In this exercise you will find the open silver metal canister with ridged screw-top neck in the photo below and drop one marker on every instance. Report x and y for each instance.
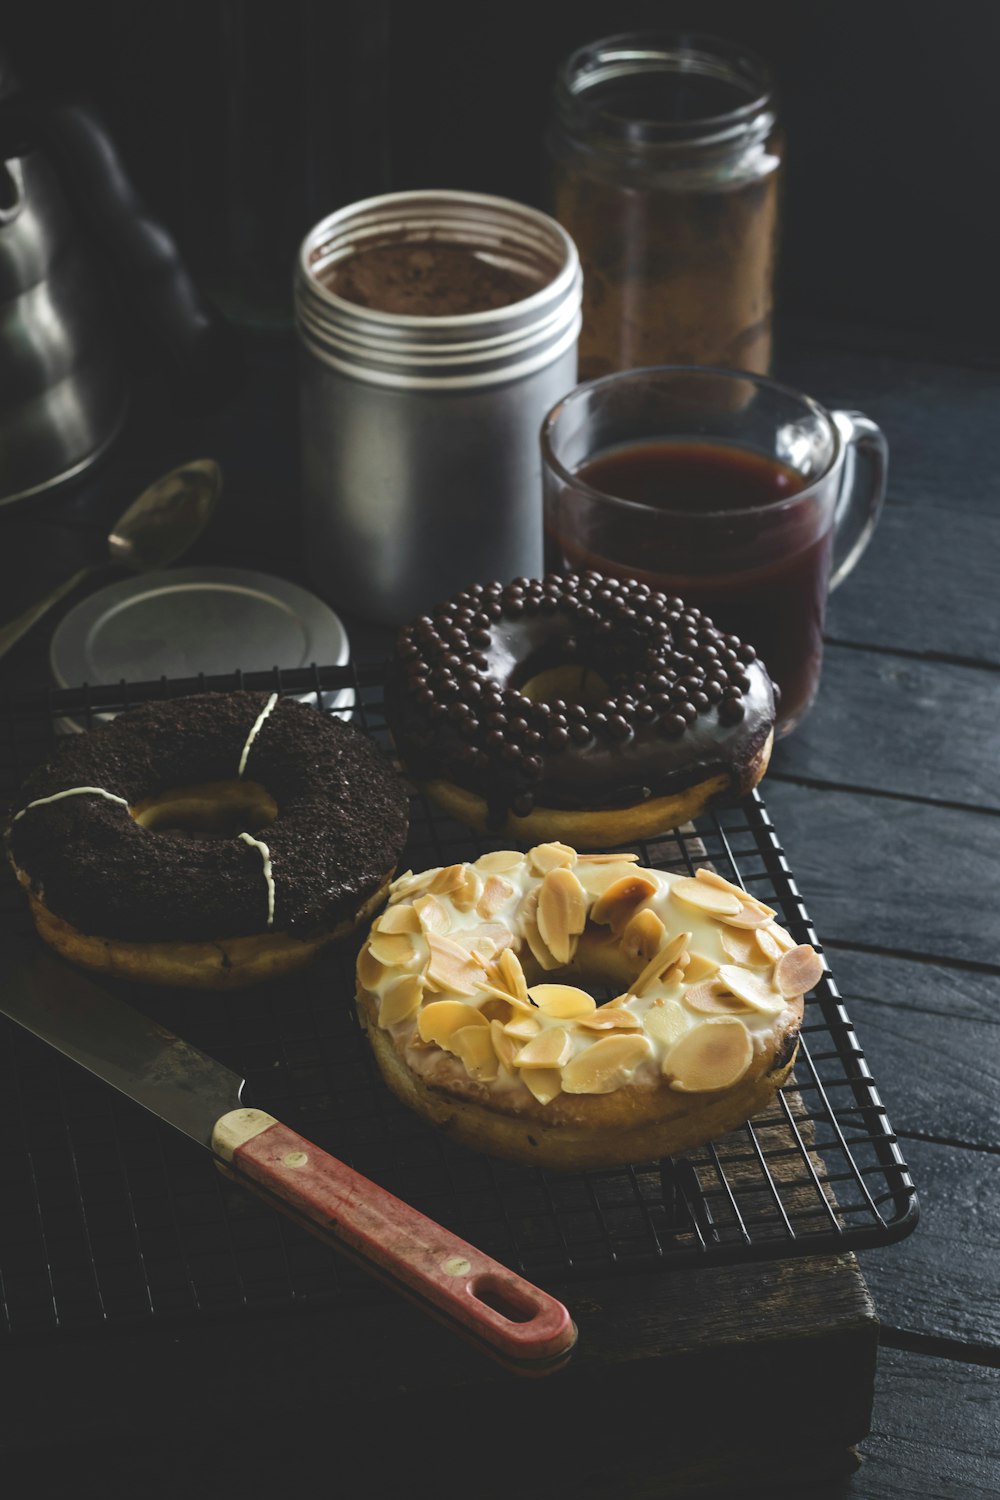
(421, 458)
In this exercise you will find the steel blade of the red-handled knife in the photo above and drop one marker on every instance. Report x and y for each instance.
(119, 1045)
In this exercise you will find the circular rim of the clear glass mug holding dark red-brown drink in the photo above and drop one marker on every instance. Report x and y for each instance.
(696, 371)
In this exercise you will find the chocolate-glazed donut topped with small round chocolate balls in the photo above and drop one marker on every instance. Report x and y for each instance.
(582, 707)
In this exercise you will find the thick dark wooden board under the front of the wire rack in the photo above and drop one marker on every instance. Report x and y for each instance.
(660, 1357)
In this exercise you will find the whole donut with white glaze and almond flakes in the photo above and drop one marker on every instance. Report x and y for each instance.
(475, 991)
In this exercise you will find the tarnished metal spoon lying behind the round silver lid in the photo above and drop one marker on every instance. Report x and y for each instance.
(157, 530)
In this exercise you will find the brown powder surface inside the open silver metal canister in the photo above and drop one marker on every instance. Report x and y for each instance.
(428, 280)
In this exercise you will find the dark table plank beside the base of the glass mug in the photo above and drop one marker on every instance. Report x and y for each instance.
(929, 730)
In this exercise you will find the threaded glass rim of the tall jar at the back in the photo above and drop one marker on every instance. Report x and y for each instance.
(630, 55)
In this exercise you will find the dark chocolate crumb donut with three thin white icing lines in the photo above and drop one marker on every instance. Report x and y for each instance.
(211, 841)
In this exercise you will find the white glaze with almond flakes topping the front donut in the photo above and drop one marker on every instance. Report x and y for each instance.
(708, 979)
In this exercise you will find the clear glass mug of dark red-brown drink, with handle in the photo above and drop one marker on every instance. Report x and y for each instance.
(743, 497)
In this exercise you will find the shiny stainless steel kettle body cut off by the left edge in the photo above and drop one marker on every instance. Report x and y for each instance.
(64, 394)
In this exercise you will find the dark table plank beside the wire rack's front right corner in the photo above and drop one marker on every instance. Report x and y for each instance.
(944, 1282)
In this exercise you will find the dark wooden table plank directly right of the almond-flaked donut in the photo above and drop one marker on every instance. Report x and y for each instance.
(932, 1037)
